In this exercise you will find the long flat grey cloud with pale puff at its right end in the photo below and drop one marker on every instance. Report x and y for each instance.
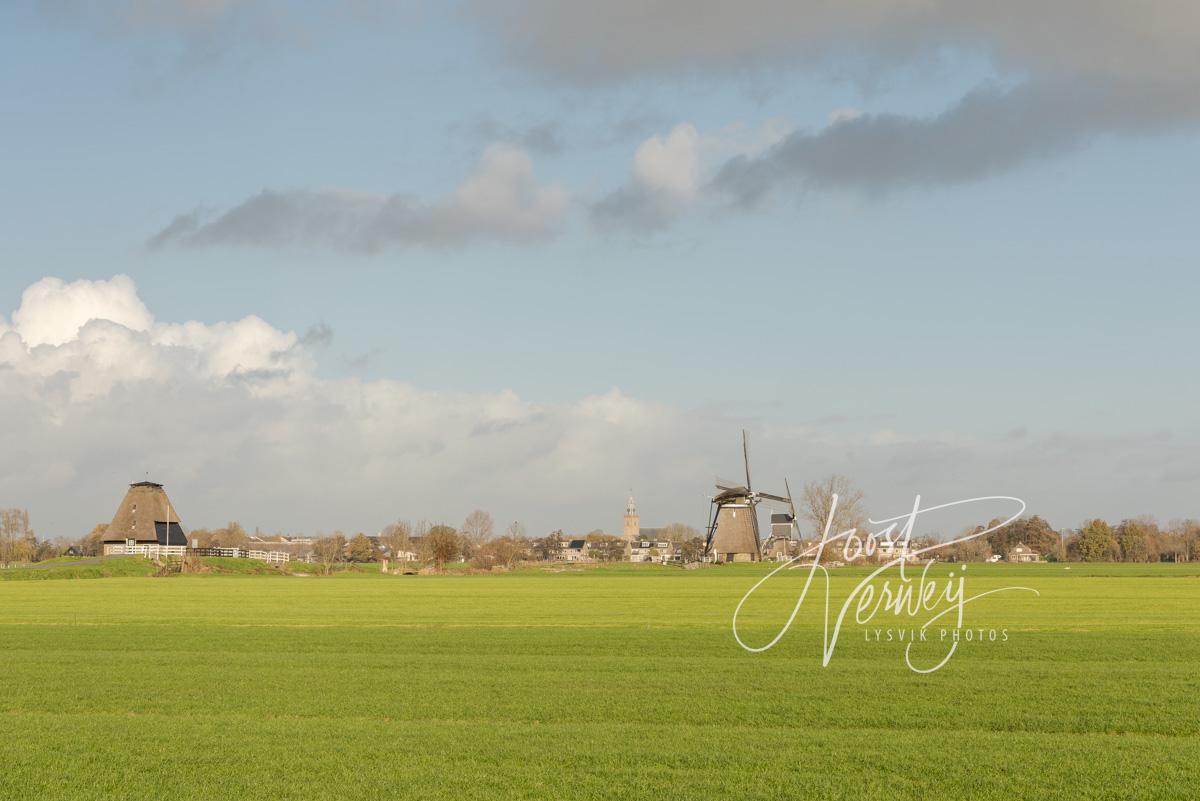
(502, 201)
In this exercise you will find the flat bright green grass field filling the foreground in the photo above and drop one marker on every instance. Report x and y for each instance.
(622, 683)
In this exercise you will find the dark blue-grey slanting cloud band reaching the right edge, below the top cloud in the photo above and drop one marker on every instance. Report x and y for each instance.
(988, 131)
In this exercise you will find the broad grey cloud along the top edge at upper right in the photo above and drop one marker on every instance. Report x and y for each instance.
(585, 41)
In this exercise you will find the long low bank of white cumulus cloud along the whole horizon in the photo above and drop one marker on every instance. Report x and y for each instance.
(235, 419)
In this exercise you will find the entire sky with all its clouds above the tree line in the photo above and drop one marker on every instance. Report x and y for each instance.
(328, 266)
